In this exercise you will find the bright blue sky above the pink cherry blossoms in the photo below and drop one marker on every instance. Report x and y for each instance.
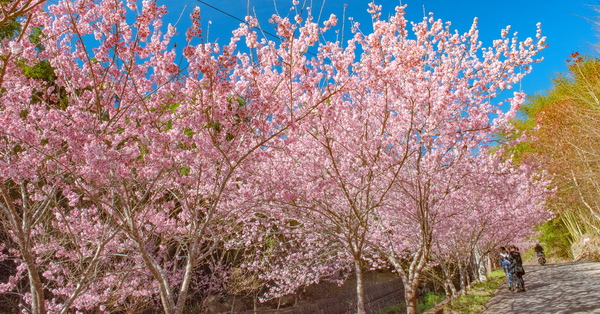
(568, 24)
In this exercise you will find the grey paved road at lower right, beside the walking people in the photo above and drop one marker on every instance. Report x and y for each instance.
(555, 288)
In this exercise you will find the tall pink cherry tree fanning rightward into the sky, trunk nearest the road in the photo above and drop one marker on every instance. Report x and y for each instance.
(451, 92)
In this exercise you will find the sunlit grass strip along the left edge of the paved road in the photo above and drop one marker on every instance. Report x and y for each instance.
(479, 295)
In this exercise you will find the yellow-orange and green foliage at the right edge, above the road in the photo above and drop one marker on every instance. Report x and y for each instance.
(562, 134)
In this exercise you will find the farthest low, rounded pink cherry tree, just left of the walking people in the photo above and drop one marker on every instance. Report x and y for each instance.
(504, 201)
